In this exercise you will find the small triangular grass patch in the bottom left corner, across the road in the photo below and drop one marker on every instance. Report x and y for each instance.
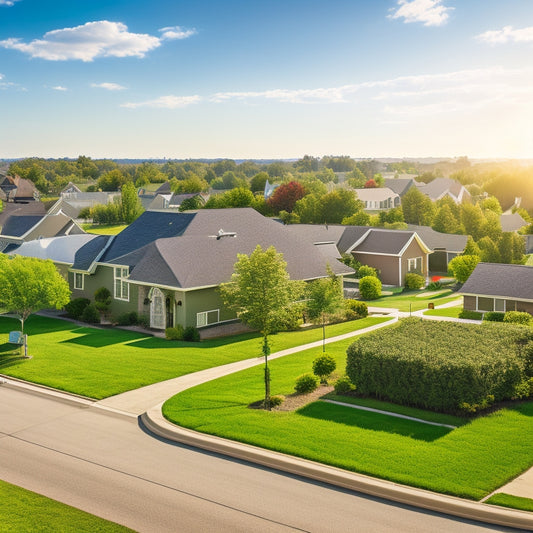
(23, 510)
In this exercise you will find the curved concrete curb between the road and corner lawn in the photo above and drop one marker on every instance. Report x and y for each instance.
(154, 421)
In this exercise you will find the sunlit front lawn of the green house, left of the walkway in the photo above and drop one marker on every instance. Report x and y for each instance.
(103, 362)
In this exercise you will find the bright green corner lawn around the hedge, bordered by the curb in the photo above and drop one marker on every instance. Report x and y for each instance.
(470, 461)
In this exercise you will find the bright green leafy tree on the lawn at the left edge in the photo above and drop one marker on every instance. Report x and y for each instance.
(28, 285)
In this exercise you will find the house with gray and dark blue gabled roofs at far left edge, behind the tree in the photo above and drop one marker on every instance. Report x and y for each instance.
(25, 222)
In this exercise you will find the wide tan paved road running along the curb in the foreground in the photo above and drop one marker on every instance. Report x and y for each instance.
(104, 463)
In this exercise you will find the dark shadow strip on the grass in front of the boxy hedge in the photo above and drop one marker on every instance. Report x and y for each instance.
(373, 421)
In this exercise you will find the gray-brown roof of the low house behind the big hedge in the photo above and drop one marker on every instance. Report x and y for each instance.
(500, 280)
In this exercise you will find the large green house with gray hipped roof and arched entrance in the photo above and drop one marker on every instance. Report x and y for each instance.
(168, 265)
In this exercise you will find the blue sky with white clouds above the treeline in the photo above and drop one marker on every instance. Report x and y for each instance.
(276, 79)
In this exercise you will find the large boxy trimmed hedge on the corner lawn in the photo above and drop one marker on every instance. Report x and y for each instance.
(451, 367)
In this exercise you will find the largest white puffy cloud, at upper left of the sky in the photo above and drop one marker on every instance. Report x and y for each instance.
(87, 42)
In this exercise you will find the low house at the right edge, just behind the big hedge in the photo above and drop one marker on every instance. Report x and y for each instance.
(499, 287)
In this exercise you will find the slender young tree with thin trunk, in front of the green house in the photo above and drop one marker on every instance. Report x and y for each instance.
(262, 294)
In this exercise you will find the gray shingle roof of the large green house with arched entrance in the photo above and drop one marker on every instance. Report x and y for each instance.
(194, 257)
